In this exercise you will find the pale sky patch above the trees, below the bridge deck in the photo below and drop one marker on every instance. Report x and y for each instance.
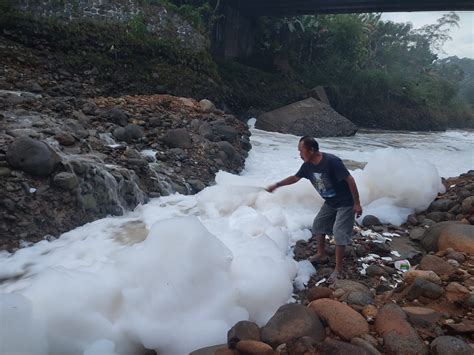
(462, 43)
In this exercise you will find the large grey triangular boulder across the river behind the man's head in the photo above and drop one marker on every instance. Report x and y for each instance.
(307, 117)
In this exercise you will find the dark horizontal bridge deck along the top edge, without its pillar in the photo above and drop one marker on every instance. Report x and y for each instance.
(299, 7)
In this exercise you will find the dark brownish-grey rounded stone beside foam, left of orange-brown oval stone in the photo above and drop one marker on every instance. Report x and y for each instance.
(290, 322)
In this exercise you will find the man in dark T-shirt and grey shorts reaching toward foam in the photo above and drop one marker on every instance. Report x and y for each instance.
(335, 184)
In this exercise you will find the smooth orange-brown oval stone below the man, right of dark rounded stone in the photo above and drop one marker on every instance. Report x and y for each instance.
(342, 319)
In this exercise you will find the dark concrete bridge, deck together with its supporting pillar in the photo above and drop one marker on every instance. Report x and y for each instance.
(234, 34)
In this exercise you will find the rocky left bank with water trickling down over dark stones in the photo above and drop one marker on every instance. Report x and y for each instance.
(67, 160)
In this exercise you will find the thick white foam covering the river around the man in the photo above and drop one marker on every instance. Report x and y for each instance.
(176, 274)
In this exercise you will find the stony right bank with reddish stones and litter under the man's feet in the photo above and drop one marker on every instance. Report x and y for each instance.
(381, 307)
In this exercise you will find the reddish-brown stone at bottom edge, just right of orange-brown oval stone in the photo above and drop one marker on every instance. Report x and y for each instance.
(398, 335)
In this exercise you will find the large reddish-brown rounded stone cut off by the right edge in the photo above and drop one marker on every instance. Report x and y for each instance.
(459, 237)
